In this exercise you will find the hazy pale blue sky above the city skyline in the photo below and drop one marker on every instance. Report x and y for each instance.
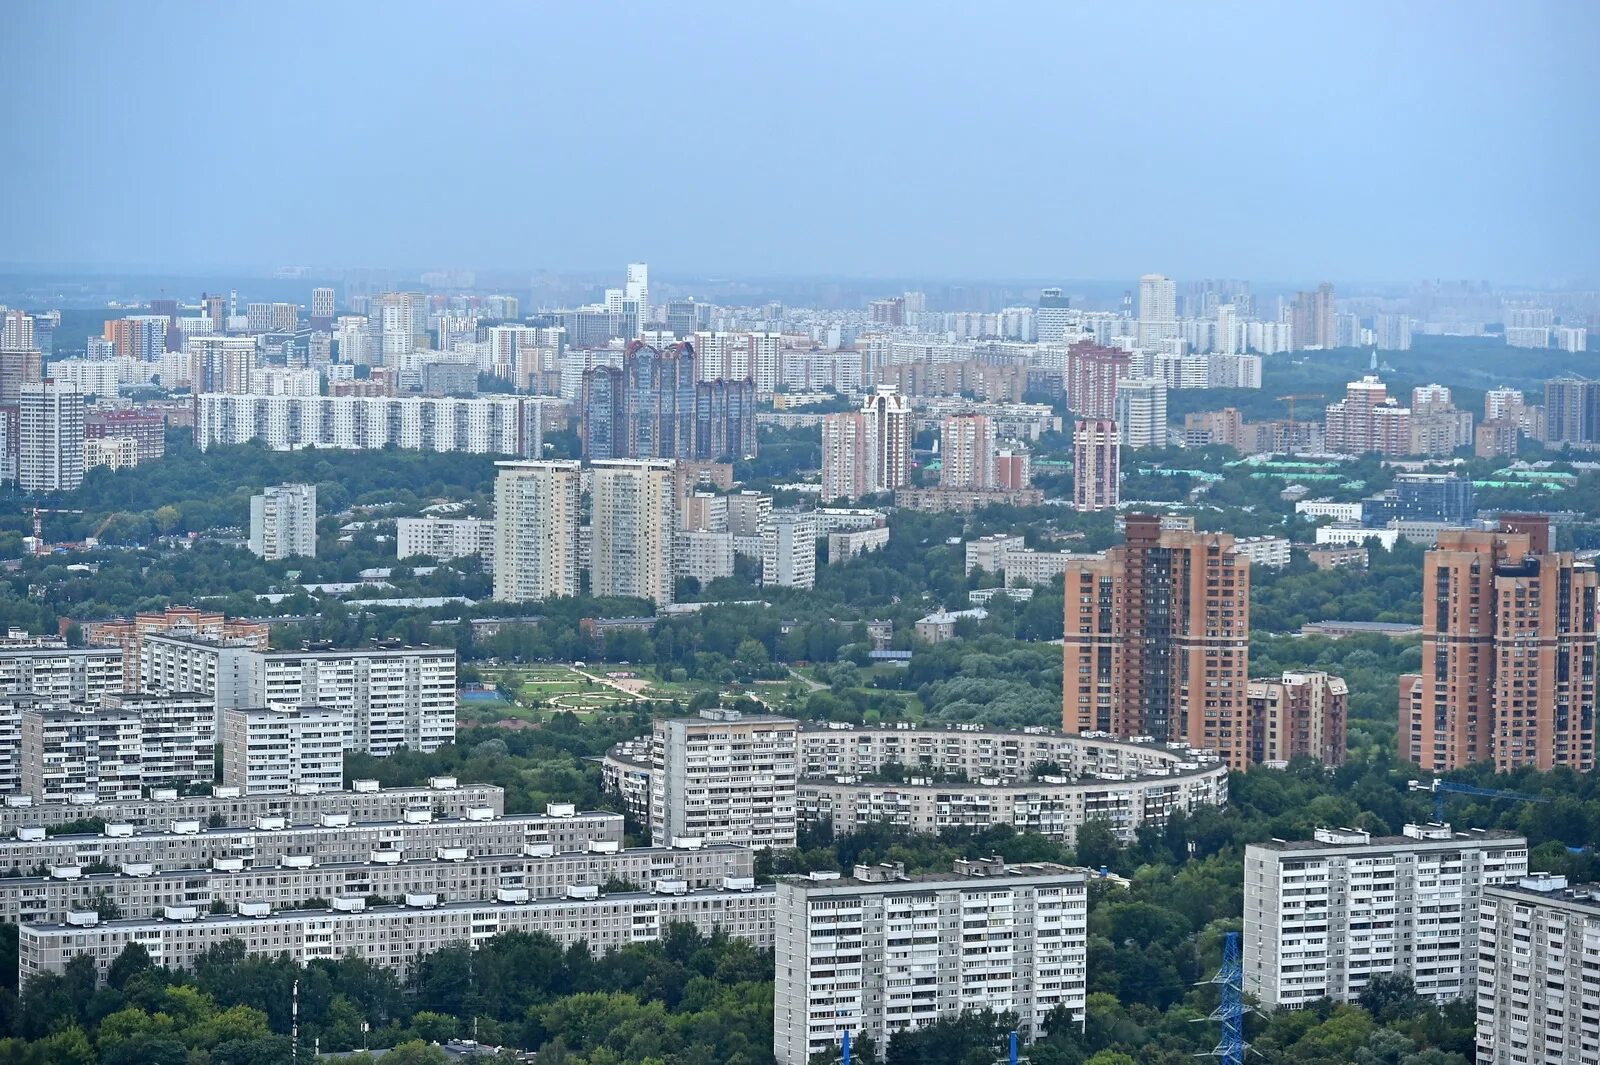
(1274, 142)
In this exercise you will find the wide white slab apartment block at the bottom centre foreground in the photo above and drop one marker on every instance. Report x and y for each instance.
(882, 952)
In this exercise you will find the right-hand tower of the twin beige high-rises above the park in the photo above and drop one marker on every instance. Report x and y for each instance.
(634, 530)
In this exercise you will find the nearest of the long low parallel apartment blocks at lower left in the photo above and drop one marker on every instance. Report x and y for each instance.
(393, 936)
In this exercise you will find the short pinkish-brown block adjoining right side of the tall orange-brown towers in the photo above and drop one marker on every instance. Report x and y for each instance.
(1302, 714)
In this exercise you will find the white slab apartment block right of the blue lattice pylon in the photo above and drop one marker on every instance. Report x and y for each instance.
(1327, 915)
